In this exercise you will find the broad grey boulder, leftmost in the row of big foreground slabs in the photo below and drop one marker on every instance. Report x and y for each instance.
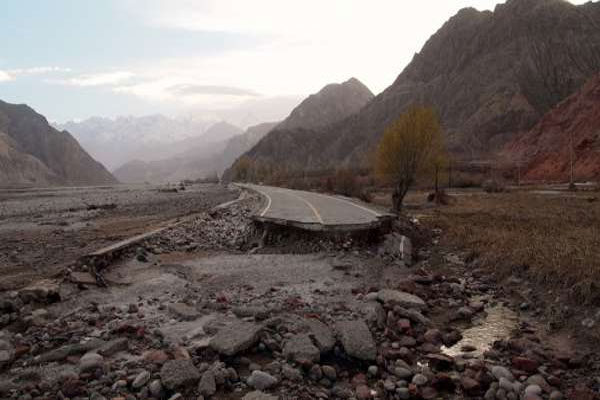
(235, 338)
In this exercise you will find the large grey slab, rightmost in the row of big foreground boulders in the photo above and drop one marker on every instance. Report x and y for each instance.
(357, 339)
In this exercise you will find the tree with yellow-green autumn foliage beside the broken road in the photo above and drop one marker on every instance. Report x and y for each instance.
(411, 145)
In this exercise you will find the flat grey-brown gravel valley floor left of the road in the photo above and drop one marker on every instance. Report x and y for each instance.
(42, 231)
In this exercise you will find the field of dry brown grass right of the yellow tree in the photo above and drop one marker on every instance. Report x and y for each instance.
(555, 239)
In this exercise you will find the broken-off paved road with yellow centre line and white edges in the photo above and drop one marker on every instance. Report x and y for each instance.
(300, 207)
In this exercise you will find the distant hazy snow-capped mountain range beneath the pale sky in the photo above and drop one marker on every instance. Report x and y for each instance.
(152, 137)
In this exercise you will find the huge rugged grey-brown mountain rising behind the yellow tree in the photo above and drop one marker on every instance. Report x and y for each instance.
(489, 74)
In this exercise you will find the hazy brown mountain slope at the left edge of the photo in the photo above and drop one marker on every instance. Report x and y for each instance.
(32, 153)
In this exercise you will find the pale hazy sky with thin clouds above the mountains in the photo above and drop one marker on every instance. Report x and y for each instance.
(72, 59)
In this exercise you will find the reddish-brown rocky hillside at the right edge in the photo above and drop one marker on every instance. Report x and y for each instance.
(545, 149)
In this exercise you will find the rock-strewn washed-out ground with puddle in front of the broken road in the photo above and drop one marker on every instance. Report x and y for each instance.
(190, 314)
